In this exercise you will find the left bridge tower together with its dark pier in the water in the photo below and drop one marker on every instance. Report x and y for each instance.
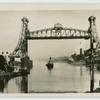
(21, 51)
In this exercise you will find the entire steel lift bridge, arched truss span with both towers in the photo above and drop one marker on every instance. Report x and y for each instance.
(57, 32)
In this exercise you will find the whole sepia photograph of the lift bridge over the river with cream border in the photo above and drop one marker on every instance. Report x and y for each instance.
(49, 50)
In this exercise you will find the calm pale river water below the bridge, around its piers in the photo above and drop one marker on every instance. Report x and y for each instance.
(63, 78)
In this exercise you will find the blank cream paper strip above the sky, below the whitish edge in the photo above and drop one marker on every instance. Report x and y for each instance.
(48, 6)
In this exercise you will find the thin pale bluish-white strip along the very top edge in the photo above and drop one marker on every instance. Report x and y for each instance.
(49, 1)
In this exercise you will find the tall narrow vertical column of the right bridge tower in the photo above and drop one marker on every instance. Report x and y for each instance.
(91, 31)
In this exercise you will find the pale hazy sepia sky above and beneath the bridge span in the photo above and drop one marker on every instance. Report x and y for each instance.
(10, 29)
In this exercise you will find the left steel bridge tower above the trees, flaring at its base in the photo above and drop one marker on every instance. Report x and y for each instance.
(22, 46)
